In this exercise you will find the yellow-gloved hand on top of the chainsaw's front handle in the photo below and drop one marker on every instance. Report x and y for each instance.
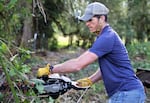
(44, 71)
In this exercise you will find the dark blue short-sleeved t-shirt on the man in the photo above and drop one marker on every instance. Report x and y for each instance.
(115, 66)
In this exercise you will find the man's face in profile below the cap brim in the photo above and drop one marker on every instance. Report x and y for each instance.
(94, 24)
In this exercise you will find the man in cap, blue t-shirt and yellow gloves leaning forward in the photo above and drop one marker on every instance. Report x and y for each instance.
(115, 70)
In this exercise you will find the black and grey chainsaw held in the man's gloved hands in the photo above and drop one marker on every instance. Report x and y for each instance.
(52, 85)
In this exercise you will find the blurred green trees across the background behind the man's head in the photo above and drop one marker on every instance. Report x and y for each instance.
(126, 17)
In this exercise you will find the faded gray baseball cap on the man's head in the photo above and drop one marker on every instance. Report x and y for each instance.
(92, 9)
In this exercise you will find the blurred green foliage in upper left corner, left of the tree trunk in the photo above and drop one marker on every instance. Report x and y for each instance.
(12, 14)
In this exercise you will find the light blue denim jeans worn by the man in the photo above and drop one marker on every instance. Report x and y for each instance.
(133, 96)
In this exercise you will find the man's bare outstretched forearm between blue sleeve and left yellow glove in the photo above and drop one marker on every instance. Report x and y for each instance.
(76, 64)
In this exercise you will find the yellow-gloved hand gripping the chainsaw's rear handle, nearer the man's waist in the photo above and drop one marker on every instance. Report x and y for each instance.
(85, 82)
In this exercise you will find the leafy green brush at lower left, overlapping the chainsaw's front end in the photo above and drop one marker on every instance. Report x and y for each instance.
(17, 71)
